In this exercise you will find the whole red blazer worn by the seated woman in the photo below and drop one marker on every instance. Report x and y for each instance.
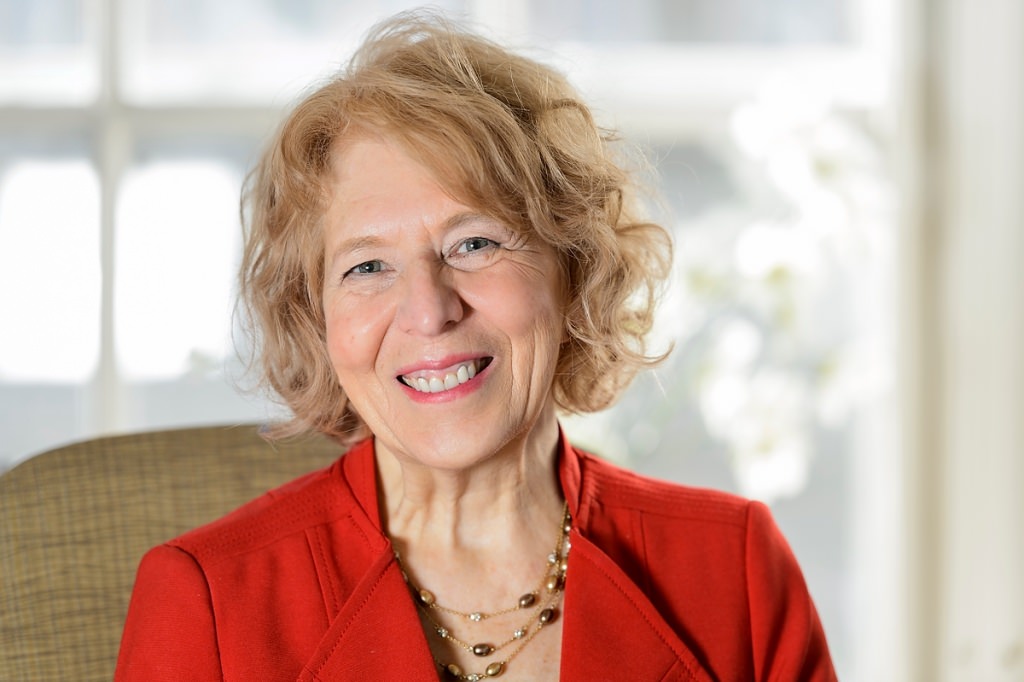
(665, 583)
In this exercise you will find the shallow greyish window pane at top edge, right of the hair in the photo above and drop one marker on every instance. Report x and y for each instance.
(758, 22)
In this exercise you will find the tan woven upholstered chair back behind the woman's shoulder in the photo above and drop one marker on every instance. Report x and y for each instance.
(75, 523)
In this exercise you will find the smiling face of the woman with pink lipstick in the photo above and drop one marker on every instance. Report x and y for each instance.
(443, 325)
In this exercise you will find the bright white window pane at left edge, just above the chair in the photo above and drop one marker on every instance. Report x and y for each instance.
(50, 270)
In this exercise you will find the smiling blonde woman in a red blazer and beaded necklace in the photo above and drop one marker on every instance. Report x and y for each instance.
(442, 258)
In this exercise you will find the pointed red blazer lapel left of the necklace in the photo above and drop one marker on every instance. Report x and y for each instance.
(377, 634)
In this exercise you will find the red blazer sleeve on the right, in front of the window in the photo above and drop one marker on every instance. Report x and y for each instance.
(789, 642)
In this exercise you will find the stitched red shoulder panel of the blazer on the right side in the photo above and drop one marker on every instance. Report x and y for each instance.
(614, 487)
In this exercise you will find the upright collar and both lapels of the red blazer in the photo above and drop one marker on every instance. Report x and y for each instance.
(609, 623)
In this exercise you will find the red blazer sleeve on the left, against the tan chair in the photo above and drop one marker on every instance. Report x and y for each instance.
(170, 633)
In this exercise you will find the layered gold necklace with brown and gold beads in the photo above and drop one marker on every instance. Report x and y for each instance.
(542, 605)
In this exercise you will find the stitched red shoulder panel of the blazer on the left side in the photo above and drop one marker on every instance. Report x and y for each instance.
(317, 498)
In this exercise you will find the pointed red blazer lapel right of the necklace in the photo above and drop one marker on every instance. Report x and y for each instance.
(613, 631)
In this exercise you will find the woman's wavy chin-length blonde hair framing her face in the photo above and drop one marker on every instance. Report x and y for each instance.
(524, 148)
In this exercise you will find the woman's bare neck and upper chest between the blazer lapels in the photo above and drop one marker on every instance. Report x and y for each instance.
(478, 539)
